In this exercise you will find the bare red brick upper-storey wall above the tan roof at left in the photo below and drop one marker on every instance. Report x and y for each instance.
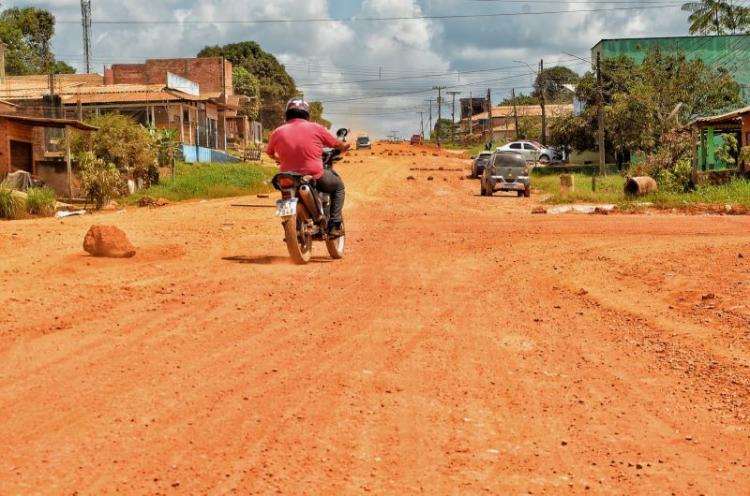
(207, 72)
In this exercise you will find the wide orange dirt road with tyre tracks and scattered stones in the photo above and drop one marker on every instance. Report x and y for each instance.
(464, 346)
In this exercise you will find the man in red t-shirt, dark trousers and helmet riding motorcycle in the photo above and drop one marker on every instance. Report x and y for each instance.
(298, 147)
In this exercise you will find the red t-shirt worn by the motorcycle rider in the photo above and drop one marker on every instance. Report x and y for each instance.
(299, 146)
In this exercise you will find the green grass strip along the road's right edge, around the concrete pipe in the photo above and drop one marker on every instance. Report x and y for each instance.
(609, 189)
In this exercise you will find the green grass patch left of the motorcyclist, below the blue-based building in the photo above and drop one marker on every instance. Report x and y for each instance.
(210, 181)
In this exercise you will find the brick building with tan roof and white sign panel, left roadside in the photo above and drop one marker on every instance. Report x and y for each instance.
(195, 97)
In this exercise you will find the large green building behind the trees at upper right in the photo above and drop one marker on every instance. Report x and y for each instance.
(731, 52)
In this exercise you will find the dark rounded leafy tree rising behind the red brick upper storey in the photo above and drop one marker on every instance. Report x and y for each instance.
(276, 85)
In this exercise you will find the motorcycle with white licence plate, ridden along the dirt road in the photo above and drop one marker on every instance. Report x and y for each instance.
(305, 212)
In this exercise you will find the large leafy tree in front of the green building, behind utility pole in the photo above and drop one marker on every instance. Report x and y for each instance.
(642, 102)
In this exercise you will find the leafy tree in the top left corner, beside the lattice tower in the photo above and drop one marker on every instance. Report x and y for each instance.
(26, 33)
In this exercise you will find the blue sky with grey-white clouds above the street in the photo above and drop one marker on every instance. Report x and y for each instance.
(371, 76)
